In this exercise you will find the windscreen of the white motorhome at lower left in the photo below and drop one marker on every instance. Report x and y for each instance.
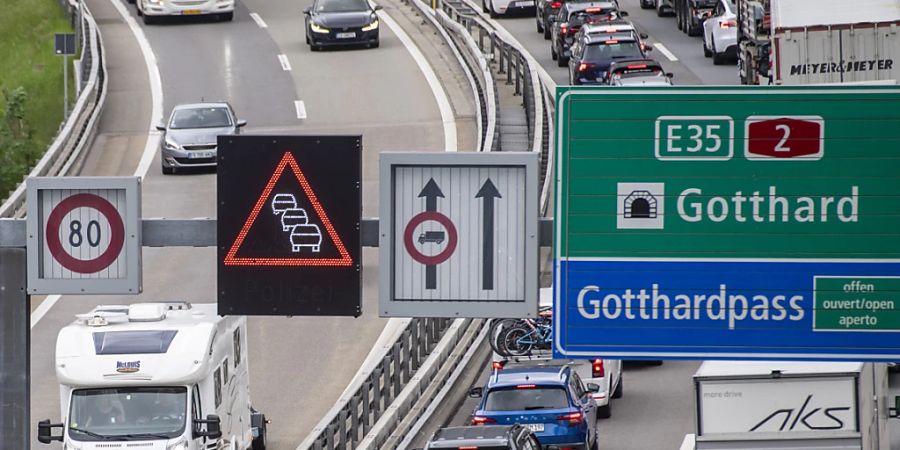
(127, 412)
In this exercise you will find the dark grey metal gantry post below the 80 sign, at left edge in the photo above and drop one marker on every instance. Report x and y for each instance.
(15, 350)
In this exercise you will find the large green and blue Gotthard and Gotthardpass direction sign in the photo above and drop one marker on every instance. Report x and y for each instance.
(758, 223)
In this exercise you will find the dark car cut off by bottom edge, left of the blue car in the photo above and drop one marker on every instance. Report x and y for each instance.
(514, 437)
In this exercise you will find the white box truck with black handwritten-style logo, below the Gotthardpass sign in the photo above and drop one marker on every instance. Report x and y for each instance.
(791, 405)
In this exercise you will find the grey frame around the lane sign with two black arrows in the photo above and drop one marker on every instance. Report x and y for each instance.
(389, 305)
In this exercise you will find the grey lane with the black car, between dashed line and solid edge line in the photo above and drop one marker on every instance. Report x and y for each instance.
(382, 95)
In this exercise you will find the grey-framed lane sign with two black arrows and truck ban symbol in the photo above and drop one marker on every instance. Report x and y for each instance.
(458, 235)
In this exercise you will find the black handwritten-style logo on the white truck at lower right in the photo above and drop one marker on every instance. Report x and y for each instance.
(807, 417)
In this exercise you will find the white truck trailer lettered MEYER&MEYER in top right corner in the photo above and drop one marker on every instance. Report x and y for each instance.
(835, 41)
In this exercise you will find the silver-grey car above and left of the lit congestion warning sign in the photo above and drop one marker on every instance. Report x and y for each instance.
(189, 137)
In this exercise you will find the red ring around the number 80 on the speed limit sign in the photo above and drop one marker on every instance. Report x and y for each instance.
(116, 238)
